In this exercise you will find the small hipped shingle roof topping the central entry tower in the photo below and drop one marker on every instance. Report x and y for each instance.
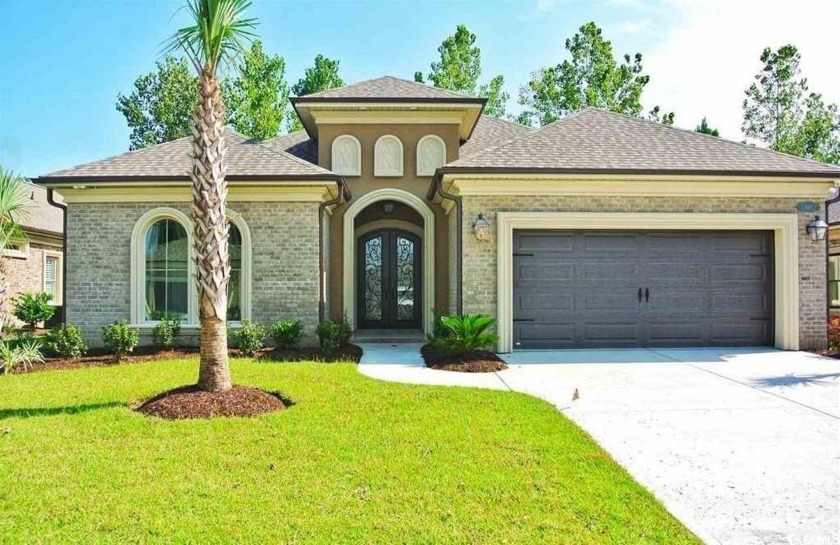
(389, 88)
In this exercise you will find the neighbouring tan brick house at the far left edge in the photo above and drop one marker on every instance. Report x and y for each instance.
(34, 263)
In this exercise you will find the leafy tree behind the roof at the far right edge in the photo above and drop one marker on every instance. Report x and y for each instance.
(779, 112)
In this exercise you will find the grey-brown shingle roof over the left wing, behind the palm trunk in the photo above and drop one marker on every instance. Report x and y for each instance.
(246, 158)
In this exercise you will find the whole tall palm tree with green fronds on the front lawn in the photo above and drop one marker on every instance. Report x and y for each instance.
(218, 35)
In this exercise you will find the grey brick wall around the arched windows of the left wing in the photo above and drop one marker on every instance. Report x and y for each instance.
(284, 256)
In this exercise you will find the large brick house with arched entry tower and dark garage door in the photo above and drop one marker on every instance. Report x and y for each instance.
(400, 199)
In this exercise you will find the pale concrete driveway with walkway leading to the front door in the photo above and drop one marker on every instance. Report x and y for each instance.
(742, 445)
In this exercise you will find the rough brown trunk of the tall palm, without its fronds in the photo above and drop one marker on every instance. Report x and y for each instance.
(211, 234)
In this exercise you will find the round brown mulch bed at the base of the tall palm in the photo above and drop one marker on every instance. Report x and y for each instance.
(190, 402)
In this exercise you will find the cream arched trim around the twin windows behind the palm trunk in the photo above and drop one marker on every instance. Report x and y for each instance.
(138, 266)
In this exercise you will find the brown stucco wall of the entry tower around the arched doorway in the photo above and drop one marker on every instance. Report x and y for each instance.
(367, 135)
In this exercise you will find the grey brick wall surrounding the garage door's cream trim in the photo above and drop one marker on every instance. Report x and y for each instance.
(479, 259)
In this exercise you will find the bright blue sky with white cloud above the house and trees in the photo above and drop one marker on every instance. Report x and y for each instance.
(63, 62)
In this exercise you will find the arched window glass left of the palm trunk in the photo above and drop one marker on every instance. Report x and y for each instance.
(167, 265)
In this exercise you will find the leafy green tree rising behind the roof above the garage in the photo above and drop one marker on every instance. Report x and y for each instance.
(590, 77)
